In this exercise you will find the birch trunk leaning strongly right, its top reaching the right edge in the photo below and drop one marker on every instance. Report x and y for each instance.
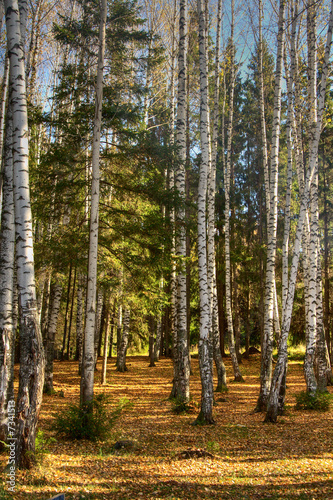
(273, 403)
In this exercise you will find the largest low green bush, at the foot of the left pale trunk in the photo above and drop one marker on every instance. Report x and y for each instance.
(92, 421)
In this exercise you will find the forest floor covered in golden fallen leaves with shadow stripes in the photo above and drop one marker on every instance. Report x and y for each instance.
(245, 458)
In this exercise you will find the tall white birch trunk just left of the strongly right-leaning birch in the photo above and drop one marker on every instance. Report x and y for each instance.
(267, 344)
